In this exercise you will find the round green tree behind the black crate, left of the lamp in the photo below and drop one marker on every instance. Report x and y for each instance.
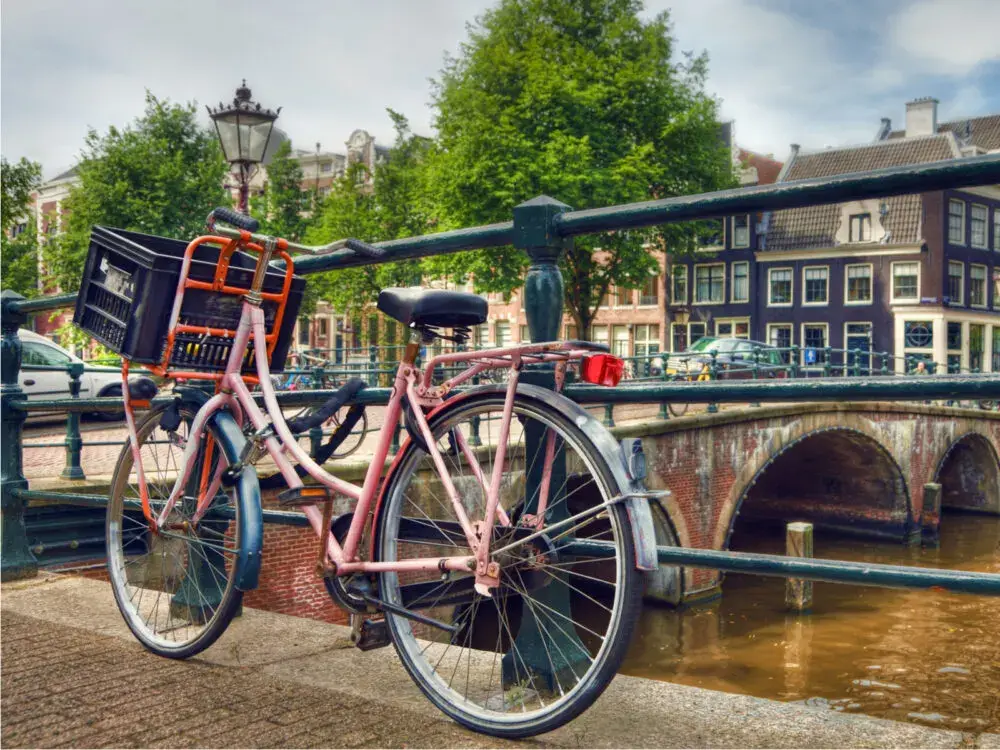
(160, 175)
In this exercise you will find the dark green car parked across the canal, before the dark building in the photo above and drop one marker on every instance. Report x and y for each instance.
(734, 359)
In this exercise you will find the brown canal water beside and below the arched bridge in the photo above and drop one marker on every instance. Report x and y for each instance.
(920, 656)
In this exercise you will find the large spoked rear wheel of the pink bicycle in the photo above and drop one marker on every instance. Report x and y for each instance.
(548, 640)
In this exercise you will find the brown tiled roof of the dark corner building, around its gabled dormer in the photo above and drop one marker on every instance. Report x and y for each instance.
(816, 226)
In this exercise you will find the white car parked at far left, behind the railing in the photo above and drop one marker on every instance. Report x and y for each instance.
(38, 354)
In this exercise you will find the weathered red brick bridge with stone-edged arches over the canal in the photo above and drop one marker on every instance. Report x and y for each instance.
(856, 467)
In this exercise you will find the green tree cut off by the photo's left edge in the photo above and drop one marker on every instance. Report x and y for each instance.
(19, 254)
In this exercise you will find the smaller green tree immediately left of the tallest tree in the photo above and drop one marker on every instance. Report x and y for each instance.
(396, 206)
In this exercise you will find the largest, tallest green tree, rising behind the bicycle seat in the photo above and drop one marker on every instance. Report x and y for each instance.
(582, 100)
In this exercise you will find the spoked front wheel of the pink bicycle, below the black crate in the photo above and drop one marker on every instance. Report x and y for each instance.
(196, 613)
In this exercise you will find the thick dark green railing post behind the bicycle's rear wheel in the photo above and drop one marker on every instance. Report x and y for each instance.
(534, 233)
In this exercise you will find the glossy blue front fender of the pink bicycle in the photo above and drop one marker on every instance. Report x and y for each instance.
(231, 440)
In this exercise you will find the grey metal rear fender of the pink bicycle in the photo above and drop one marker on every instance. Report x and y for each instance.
(636, 499)
